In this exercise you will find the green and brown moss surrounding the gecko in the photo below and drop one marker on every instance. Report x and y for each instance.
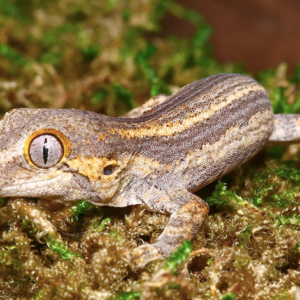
(108, 57)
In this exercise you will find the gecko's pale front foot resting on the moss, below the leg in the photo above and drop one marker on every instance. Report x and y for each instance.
(143, 255)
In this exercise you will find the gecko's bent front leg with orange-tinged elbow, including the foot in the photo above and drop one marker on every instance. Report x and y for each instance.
(188, 213)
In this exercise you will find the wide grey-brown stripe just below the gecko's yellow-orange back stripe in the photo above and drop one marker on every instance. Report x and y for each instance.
(168, 149)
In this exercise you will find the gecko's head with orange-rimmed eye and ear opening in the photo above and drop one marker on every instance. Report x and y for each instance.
(59, 154)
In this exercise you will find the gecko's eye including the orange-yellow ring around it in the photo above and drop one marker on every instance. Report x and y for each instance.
(46, 148)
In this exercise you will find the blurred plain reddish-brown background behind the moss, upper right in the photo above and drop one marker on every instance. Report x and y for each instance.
(259, 33)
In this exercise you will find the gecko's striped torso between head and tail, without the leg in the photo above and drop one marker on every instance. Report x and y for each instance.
(206, 129)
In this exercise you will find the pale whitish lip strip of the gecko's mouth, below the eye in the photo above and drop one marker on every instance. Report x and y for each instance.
(48, 187)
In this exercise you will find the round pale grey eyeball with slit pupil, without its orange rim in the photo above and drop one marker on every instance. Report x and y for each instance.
(46, 151)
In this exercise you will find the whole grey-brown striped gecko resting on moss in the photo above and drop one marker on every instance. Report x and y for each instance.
(156, 155)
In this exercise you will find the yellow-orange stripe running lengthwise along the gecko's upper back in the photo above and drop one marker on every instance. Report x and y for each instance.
(196, 109)
